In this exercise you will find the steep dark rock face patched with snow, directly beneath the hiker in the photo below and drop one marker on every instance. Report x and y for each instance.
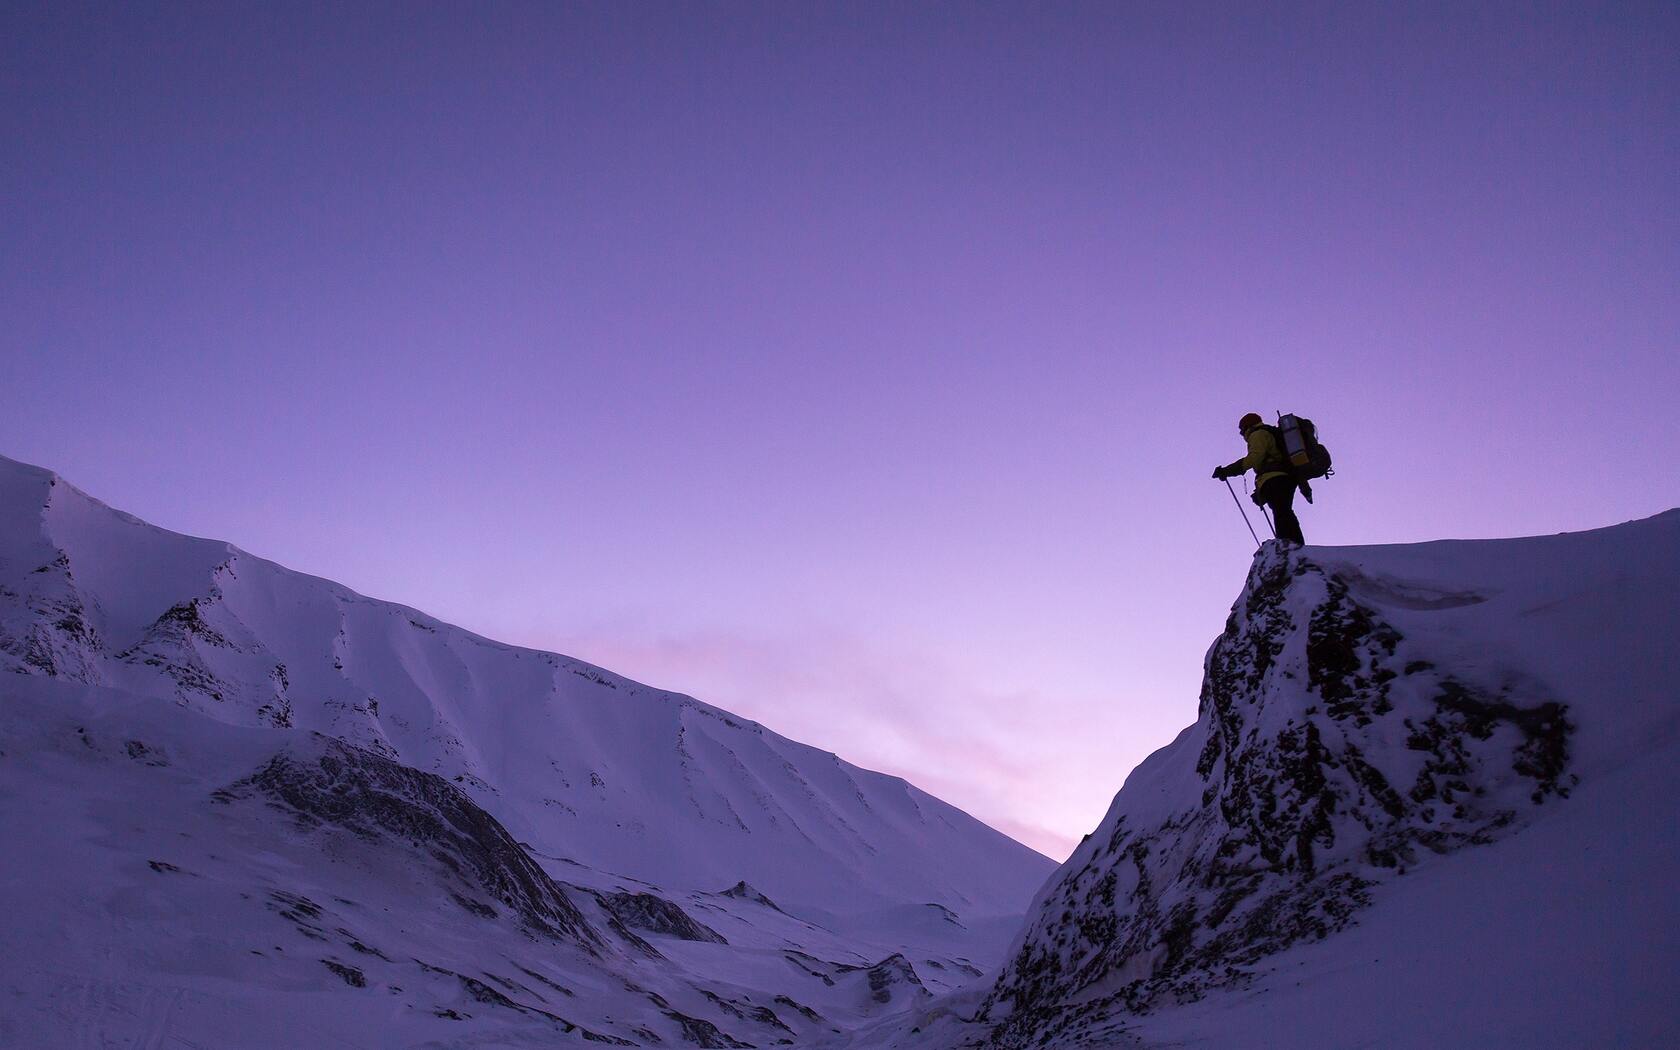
(1328, 757)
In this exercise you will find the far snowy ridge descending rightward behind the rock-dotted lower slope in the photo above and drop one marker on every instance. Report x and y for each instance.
(577, 762)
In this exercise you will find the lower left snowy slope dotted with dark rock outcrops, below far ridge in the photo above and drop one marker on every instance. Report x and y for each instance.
(177, 881)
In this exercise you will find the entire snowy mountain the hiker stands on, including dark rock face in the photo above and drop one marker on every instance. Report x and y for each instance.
(1432, 801)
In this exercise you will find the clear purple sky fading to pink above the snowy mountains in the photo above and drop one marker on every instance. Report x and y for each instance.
(856, 369)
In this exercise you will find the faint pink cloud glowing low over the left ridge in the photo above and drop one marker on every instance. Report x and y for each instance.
(1002, 757)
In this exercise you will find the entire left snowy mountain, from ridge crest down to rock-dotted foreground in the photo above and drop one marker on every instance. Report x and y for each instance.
(246, 801)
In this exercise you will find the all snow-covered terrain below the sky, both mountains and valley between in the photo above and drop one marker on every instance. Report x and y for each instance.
(1431, 801)
